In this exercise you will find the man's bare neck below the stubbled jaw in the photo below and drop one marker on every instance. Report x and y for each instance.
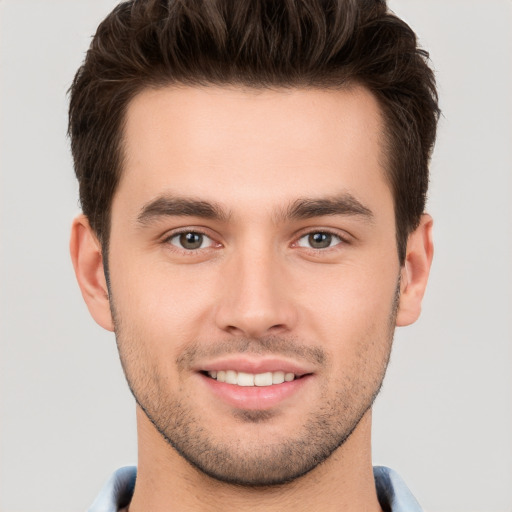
(166, 481)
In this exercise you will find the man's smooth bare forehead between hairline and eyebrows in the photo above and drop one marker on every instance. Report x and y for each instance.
(234, 143)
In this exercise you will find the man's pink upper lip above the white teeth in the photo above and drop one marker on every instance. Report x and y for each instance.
(255, 365)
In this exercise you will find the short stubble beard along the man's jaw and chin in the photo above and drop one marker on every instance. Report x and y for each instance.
(261, 462)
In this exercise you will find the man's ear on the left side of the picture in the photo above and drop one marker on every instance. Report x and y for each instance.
(87, 260)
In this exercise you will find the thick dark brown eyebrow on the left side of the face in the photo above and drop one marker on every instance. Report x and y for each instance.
(172, 206)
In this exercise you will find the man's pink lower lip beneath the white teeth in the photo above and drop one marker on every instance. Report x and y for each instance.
(255, 398)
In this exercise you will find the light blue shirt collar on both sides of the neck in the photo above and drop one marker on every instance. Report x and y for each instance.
(393, 494)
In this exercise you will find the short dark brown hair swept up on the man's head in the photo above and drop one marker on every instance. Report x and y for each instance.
(260, 44)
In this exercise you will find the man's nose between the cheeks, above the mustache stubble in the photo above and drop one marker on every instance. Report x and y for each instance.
(255, 299)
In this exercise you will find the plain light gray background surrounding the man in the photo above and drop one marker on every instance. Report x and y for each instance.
(444, 418)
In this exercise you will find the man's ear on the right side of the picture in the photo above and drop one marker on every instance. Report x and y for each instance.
(415, 271)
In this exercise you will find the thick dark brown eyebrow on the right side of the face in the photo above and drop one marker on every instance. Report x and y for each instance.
(344, 204)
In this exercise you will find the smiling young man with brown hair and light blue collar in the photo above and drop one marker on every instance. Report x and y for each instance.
(253, 179)
